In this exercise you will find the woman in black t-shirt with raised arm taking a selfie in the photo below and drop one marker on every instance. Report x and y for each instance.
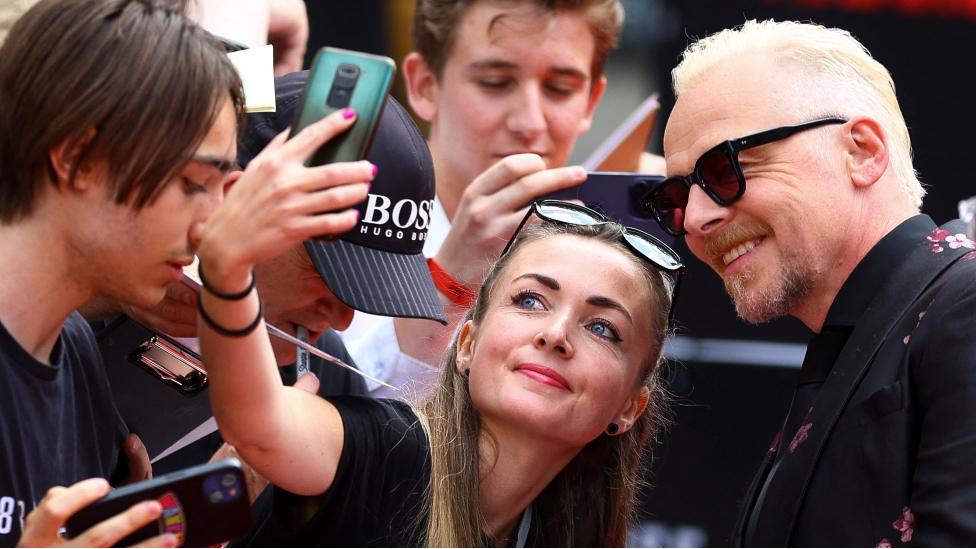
(535, 434)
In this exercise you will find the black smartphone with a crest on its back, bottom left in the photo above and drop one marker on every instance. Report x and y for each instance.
(202, 505)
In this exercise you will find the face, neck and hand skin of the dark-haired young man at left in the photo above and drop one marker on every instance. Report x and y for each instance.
(94, 246)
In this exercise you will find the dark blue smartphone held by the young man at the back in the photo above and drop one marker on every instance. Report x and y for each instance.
(617, 195)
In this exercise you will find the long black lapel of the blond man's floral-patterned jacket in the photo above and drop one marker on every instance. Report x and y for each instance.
(788, 487)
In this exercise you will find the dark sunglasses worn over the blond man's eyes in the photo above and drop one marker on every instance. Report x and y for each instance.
(718, 173)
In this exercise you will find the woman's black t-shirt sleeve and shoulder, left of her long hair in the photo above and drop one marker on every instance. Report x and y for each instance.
(377, 497)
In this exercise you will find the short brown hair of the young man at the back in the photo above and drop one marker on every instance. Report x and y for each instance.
(435, 25)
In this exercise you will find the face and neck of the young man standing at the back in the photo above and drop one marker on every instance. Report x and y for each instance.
(522, 85)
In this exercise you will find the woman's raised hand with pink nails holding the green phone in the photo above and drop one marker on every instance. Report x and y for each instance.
(278, 202)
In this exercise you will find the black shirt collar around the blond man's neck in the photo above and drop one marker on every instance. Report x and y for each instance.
(883, 259)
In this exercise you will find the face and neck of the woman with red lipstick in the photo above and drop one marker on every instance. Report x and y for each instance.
(551, 368)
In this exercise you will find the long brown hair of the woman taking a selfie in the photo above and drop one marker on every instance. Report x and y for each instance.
(591, 501)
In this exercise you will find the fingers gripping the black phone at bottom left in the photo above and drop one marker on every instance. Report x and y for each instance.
(43, 525)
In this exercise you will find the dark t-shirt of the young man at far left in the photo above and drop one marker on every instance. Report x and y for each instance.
(59, 423)
